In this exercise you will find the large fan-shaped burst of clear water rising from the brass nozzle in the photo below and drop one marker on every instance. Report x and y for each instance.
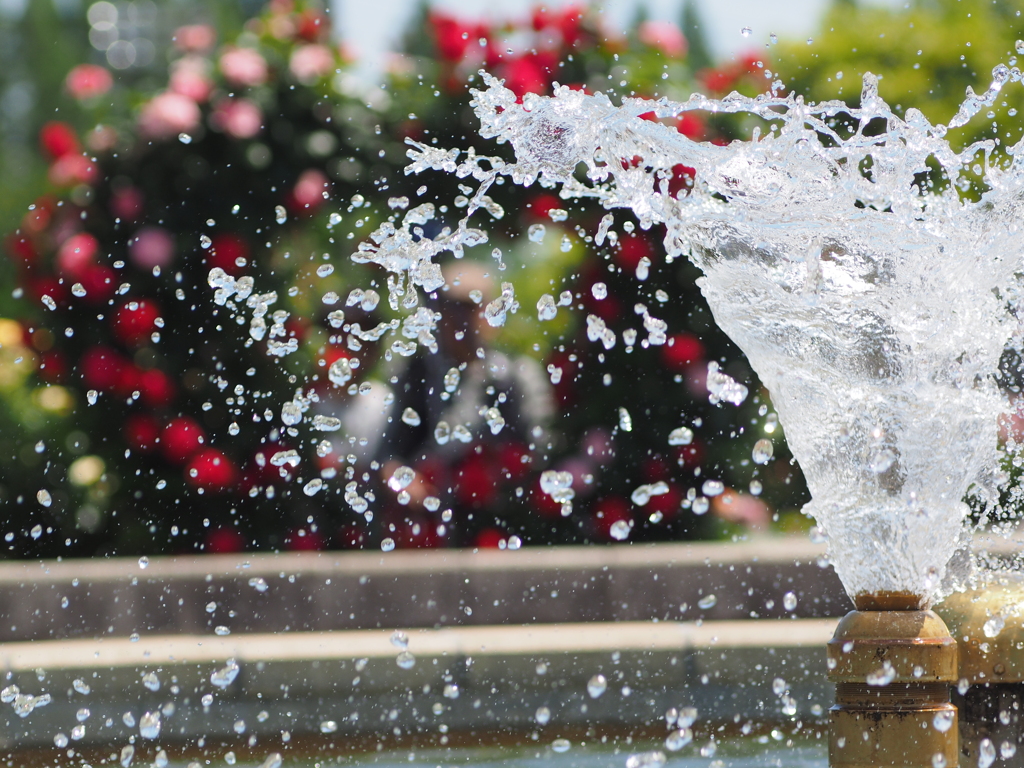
(870, 295)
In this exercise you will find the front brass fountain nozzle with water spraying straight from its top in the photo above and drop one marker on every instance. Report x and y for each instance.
(892, 670)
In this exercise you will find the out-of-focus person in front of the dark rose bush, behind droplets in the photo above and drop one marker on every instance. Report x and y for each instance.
(468, 420)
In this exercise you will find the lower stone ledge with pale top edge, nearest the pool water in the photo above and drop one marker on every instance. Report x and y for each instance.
(296, 681)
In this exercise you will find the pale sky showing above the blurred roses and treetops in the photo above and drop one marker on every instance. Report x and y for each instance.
(371, 28)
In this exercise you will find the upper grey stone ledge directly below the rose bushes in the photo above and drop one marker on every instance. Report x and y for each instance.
(322, 592)
